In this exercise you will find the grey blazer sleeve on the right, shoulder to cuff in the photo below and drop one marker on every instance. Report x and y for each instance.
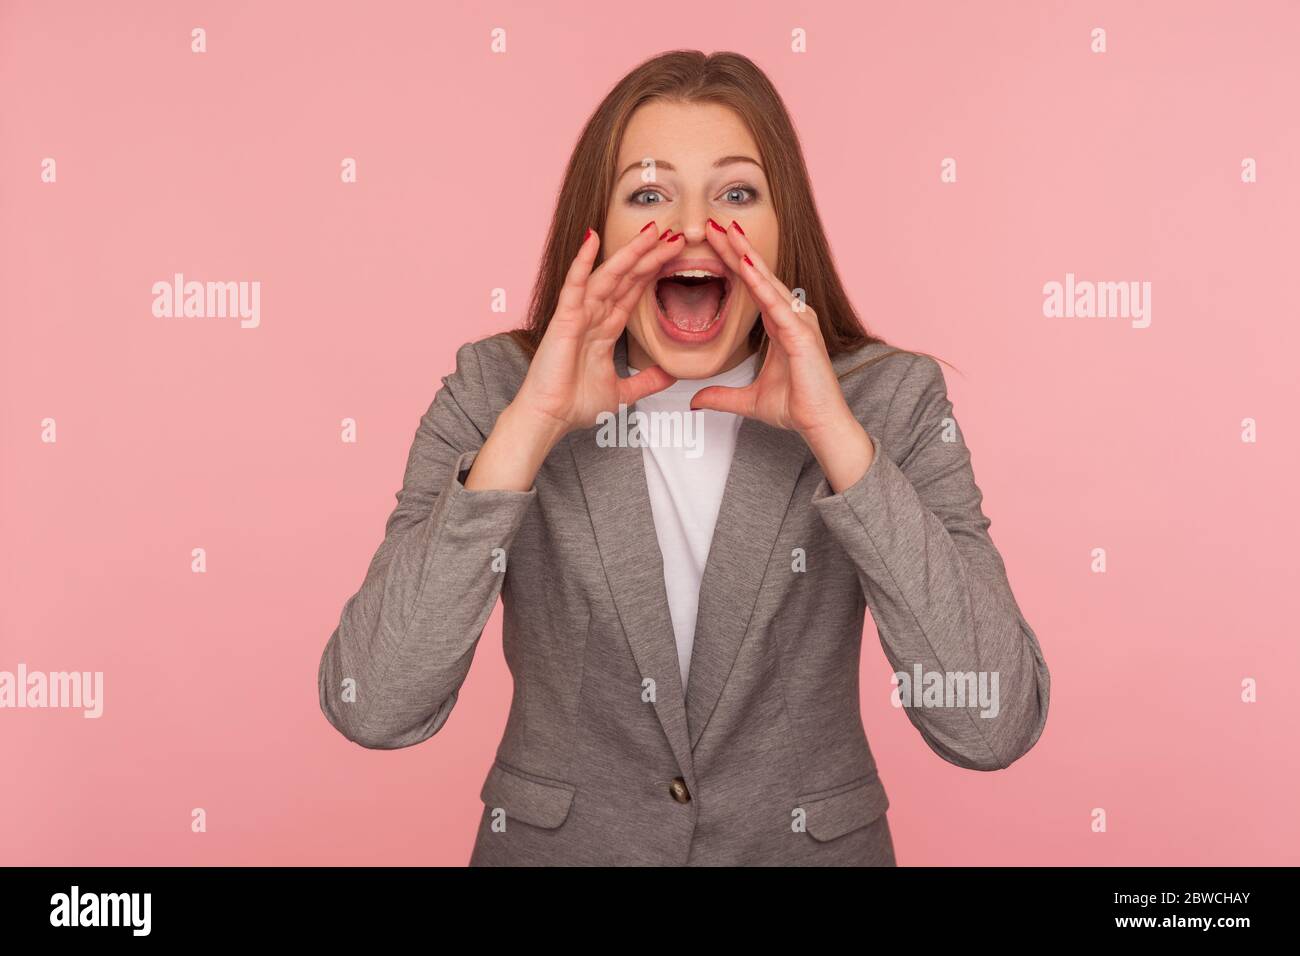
(934, 581)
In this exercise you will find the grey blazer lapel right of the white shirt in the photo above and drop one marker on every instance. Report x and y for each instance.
(765, 469)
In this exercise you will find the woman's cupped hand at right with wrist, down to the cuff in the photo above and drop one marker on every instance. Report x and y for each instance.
(798, 387)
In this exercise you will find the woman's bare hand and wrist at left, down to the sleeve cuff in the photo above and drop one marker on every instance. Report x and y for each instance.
(573, 379)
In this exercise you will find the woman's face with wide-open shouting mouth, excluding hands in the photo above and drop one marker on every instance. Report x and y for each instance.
(681, 166)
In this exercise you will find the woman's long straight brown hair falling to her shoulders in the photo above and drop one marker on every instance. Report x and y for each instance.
(731, 80)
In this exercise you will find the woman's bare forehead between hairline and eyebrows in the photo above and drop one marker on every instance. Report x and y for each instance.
(686, 135)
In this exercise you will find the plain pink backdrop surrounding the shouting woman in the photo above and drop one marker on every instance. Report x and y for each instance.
(183, 434)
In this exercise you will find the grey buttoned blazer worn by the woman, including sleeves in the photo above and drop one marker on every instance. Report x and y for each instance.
(762, 759)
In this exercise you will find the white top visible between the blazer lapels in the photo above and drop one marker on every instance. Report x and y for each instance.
(687, 471)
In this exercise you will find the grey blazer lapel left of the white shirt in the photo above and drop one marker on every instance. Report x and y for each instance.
(618, 500)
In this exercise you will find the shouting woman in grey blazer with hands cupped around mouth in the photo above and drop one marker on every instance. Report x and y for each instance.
(688, 479)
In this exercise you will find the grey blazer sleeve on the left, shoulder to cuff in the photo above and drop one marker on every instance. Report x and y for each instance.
(392, 671)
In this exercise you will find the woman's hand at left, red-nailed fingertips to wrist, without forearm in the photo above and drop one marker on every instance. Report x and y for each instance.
(573, 379)
